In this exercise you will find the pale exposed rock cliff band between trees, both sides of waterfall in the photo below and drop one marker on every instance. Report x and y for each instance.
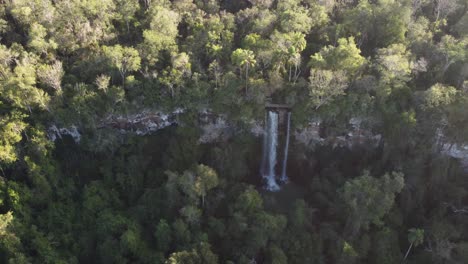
(217, 128)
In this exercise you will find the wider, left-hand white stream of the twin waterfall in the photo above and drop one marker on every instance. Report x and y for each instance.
(270, 151)
